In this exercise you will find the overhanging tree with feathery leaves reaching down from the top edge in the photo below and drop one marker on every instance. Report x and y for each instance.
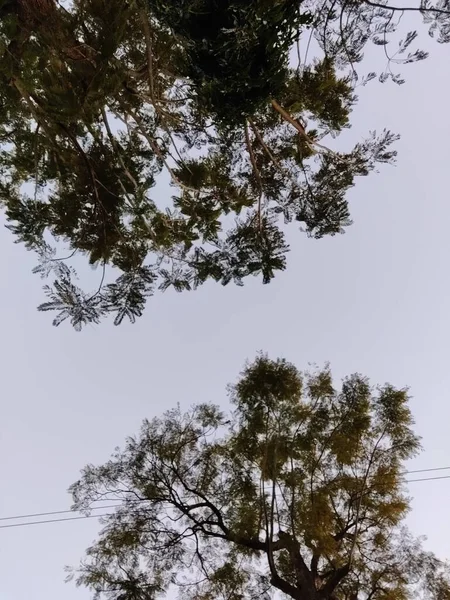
(102, 99)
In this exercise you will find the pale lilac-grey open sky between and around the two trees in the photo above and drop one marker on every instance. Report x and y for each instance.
(375, 300)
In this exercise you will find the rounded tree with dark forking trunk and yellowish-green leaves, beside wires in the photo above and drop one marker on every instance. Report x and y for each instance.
(298, 491)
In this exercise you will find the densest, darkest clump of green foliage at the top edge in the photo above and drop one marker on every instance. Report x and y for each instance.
(235, 52)
